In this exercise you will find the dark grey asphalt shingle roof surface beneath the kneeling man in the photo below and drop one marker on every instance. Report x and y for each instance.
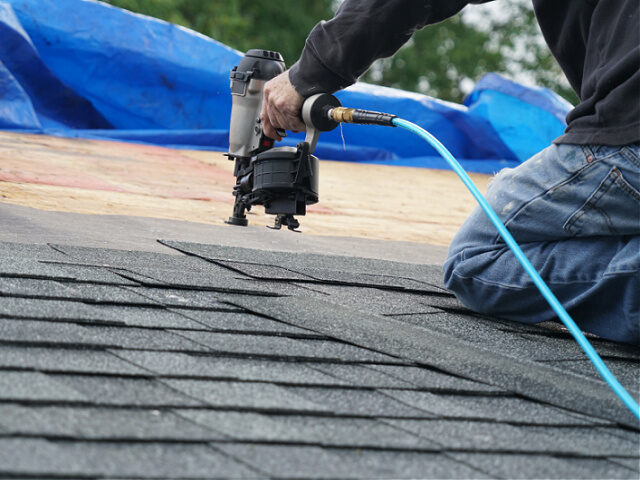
(229, 362)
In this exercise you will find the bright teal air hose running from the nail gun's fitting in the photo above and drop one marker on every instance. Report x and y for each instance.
(602, 369)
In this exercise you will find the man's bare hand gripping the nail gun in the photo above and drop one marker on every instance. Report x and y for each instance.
(281, 106)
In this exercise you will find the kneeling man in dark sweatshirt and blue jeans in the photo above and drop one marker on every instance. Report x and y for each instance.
(574, 207)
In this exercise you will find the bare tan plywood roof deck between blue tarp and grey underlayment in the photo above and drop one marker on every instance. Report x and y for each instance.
(103, 177)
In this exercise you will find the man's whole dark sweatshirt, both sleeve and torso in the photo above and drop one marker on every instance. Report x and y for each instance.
(596, 42)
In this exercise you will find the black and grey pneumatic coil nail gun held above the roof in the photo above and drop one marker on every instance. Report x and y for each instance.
(282, 179)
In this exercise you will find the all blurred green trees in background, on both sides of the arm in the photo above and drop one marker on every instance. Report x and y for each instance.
(442, 60)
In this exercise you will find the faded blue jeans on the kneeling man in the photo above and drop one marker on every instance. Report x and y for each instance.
(575, 211)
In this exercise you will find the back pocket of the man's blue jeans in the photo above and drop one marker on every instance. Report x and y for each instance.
(612, 209)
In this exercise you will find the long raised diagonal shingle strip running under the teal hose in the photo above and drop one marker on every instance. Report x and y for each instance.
(429, 346)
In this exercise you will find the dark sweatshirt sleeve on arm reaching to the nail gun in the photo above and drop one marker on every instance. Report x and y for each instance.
(338, 51)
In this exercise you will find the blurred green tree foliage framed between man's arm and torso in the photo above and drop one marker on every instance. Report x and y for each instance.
(444, 60)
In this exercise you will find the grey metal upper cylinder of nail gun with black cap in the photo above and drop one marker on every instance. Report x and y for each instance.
(247, 81)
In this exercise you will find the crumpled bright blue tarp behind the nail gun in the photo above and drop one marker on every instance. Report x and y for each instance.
(82, 68)
